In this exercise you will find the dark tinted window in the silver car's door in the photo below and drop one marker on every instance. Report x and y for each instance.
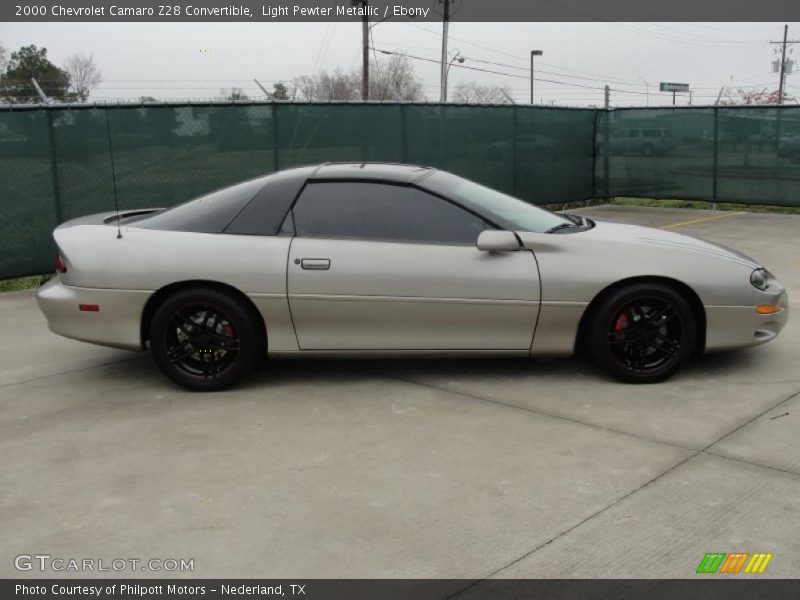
(382, 212)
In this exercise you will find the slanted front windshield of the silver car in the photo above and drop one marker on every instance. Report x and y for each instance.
(505, 210)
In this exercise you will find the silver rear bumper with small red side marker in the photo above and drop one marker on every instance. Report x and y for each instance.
(116, 324)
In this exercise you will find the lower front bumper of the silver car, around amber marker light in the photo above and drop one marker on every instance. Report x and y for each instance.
(738, 326)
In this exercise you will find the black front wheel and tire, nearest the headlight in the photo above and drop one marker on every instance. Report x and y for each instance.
(643, 333)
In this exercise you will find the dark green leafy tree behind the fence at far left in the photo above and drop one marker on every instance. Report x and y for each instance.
(30, 62)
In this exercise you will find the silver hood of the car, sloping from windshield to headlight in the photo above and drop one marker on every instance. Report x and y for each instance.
(667, 239)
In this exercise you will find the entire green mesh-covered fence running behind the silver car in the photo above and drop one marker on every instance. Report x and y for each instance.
(56, 162)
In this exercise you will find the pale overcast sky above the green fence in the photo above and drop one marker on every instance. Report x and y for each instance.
(196, 60)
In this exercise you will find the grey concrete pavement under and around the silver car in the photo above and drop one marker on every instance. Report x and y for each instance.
(451, 469)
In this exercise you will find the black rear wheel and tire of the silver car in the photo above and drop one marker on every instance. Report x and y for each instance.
(205, 339)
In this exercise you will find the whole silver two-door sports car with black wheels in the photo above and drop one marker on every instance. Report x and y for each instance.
(386, 259)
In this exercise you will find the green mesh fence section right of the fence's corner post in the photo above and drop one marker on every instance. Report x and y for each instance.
(749, 155)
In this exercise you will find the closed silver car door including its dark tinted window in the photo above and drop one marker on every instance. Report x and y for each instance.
(379, 267)
